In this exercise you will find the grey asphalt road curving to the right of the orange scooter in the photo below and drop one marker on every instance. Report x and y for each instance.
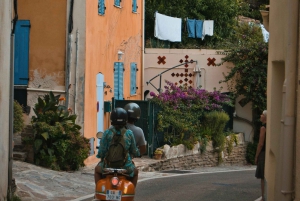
(195, 186)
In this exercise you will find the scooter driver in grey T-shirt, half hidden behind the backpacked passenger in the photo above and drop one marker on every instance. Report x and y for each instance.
(134, 114)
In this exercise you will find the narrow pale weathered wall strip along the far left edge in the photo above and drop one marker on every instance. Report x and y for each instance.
(5, 21)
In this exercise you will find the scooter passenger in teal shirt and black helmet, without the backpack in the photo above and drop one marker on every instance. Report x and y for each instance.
(118, 119)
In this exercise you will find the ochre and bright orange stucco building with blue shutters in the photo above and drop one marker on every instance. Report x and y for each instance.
(87, 51)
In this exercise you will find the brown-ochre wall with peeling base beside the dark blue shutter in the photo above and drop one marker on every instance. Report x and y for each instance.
(47, 38)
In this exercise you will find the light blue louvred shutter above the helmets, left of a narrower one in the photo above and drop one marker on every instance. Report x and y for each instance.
(118, 80)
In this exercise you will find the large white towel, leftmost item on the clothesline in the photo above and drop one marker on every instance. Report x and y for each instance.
(167, 28)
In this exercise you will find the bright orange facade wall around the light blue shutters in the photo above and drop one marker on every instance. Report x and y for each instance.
(118, 29)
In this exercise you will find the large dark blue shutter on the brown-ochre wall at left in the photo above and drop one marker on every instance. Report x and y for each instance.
(21, 57)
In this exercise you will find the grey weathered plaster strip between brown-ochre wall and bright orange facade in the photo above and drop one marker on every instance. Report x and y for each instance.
(77, 59)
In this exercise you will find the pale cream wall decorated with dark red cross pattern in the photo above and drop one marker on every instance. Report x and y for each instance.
(210, 75)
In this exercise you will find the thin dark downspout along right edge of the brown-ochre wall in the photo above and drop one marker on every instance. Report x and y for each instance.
(69, 52)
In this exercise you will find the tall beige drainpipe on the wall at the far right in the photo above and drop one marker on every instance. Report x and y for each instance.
(288, 135)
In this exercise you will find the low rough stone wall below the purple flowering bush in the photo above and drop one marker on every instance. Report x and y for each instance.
(179, 158)
